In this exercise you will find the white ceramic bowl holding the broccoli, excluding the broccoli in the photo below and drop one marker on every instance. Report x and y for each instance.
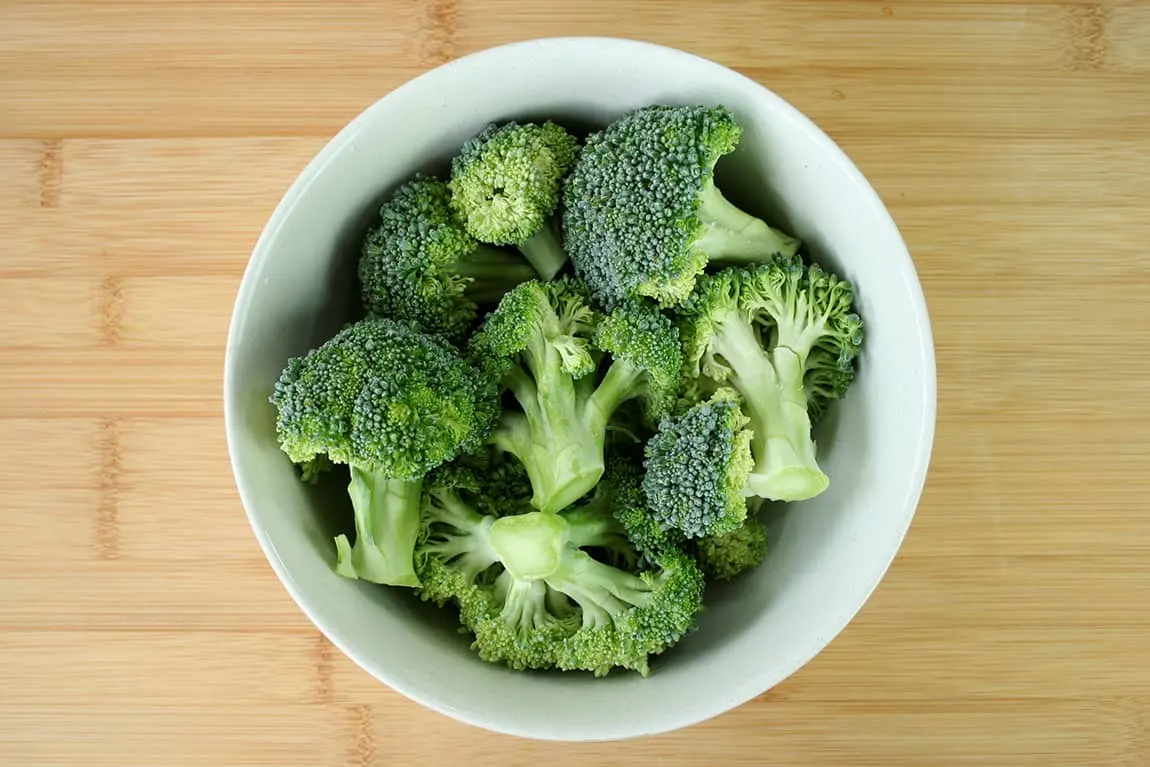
(827, 555)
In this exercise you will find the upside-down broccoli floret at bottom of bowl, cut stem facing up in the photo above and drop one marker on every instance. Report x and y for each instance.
(534, 597)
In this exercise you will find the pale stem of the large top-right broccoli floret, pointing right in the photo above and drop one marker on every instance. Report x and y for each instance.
(733, 235)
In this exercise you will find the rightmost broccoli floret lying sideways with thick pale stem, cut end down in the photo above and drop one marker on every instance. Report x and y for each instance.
(763, 331)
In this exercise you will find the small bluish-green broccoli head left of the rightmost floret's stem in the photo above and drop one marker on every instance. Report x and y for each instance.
(697, 467)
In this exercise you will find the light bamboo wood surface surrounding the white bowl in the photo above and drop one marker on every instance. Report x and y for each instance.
(143, 145)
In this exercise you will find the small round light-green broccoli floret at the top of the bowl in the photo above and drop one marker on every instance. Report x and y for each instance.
(505, 185)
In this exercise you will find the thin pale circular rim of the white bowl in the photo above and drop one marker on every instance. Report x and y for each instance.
(720, 704)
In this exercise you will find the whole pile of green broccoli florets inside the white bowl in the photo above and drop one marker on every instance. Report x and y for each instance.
(569, 457)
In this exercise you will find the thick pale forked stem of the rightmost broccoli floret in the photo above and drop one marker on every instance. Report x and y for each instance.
(786, 467)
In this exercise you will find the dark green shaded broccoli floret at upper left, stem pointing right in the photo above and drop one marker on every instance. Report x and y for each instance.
(420, 264)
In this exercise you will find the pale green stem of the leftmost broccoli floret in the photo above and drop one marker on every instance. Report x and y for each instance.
(387, 527)
